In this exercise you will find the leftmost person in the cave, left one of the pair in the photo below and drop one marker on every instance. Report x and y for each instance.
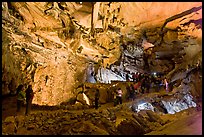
(20, 97)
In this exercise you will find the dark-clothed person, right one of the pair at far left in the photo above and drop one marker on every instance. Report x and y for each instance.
(29, 98)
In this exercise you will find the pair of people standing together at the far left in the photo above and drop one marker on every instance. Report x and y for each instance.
(24, 97)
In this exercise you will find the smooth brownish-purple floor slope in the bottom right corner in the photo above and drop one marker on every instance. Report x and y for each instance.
(188, 122)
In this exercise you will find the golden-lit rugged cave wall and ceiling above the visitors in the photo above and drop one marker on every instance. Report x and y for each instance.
(42, 45)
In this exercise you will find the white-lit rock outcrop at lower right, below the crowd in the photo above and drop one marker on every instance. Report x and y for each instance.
(179, 99)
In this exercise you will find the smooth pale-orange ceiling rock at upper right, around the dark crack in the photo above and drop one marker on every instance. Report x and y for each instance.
(154, 13)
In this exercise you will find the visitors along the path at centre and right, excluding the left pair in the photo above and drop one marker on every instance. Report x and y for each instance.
(140, 84)
